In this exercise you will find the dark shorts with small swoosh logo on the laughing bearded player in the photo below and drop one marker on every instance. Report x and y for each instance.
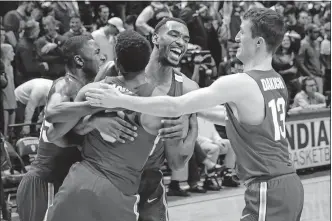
(153, 203)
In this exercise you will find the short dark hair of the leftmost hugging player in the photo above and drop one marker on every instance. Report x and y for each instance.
(72, 46)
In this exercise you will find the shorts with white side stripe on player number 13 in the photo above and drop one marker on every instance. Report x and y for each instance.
(277, 199)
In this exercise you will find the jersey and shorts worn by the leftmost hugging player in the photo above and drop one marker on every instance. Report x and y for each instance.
(45, 176)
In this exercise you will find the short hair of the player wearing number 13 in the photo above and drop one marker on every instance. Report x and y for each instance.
(268, 24)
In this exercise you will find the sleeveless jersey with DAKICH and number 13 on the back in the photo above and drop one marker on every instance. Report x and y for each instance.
(262, 150)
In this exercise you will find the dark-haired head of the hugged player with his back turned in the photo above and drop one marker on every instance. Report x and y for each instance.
(132, 53)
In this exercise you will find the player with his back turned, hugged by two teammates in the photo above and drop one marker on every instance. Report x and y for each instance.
(105, 184)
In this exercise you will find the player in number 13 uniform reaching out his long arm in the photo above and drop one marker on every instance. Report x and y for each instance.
(256, 107)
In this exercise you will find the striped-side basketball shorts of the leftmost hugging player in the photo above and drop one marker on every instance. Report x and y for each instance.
(32, 197)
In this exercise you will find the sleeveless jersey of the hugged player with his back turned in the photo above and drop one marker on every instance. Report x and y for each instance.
(121, 163)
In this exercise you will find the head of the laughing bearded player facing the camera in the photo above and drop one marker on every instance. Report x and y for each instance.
(171, 37)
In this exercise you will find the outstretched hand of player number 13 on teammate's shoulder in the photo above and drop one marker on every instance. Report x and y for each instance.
(106, 97)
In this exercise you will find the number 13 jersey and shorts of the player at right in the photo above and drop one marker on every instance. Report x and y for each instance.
(274, 190)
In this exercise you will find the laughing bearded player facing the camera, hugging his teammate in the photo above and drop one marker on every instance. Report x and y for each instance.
(170, 44)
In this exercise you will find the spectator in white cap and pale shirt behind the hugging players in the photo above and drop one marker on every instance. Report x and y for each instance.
(105, 37)
